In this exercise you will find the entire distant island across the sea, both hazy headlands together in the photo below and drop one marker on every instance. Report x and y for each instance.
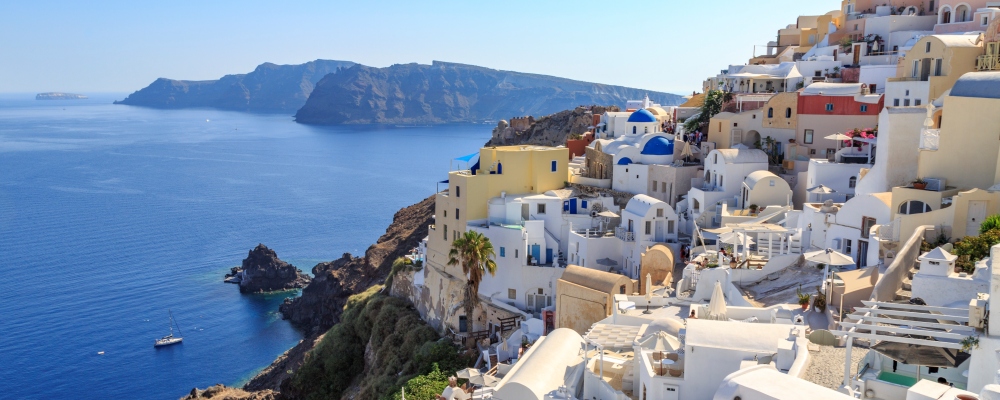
(326, 92)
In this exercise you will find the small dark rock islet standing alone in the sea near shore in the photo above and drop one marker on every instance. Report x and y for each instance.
(263, 271)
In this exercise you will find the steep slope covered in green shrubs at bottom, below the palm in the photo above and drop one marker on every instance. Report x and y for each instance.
(380, 339)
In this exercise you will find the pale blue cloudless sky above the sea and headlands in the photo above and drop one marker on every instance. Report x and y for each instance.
(122, 46)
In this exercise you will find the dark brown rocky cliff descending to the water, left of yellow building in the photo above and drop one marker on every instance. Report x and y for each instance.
(322, 301)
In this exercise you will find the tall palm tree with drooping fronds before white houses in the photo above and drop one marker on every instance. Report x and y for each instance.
(475, 254)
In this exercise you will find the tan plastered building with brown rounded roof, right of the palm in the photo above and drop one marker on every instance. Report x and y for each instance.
(585, 296)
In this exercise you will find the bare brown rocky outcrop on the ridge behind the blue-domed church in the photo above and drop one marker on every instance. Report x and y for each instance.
(550, 130)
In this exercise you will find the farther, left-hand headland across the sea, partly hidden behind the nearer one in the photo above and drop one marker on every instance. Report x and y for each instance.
(269, 88)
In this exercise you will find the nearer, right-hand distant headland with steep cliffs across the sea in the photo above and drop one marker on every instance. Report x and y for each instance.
(448, 92)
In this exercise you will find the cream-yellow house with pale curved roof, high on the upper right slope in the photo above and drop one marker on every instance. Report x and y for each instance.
(931, 67)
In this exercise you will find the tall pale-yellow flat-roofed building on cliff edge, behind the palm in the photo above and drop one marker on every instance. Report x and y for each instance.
(503, 170)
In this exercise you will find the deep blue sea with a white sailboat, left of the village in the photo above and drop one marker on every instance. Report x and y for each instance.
(111, 215)
